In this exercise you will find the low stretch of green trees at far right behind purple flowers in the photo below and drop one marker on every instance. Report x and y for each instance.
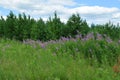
(108, 29)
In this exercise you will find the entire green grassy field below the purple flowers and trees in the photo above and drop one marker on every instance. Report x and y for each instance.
(58, 60)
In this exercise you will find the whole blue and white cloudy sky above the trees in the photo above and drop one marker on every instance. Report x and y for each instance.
(93, 11)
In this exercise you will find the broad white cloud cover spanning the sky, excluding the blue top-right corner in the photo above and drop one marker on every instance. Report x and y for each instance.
(64, 8)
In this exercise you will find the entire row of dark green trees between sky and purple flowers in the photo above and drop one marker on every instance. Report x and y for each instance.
(23, 27)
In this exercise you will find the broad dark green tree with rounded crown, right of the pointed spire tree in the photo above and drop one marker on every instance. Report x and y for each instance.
(75, 24)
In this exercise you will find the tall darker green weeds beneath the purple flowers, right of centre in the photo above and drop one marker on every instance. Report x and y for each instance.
(99, 51)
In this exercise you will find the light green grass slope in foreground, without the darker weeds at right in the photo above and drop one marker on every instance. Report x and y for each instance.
(24, 62)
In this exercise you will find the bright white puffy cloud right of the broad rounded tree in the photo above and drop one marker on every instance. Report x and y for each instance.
(98, 14)
